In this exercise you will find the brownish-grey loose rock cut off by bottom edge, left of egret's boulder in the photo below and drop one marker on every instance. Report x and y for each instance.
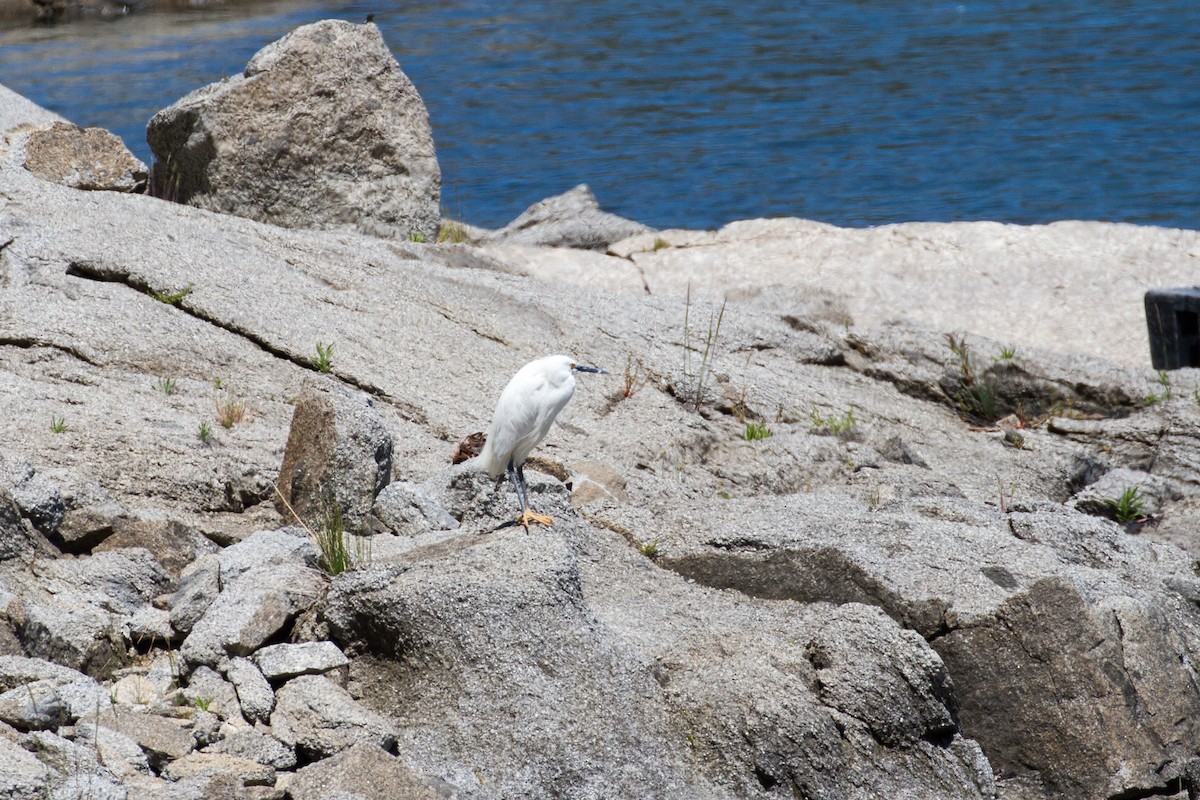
(363, 771)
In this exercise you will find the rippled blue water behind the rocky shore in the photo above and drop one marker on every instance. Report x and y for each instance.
(698, 113)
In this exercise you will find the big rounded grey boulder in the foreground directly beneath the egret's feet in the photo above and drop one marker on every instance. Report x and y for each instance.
(627, 678)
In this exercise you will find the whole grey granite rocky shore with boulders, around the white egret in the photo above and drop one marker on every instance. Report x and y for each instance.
(842, 524)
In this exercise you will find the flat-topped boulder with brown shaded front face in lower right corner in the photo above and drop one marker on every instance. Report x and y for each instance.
(1061, 634)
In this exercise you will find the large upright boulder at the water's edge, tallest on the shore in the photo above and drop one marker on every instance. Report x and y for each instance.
(323, 130)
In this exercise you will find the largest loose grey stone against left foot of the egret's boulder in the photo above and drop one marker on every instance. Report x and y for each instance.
(320, 719)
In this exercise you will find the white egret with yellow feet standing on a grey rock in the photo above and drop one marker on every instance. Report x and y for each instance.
(524, 416)
